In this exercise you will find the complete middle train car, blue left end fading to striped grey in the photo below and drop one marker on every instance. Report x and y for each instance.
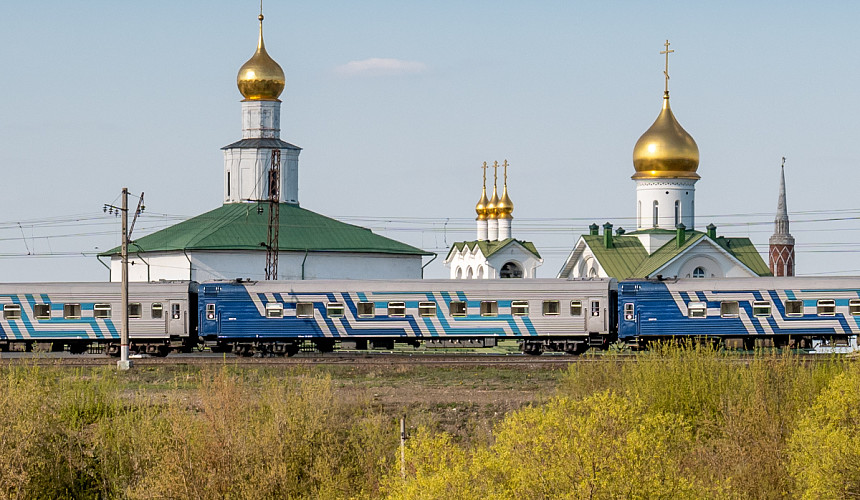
(279, 316)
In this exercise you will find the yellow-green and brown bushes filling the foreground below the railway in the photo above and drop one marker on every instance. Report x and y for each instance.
(685, 423)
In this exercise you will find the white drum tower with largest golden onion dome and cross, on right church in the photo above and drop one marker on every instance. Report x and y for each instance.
(666, 159)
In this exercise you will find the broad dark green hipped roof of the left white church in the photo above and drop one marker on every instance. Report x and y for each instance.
(239, 226)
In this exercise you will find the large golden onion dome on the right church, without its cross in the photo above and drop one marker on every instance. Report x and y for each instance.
(666, 150)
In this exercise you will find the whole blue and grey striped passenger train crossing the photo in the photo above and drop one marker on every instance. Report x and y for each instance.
(543, 315)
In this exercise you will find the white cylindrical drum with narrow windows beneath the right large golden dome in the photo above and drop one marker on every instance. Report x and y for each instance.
(664, 203)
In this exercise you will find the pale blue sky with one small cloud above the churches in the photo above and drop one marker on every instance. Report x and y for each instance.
(396, 105)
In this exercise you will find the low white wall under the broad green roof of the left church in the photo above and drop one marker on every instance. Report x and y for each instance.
(226, 264)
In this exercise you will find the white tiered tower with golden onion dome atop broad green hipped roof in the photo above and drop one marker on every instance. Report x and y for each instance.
(248, 161)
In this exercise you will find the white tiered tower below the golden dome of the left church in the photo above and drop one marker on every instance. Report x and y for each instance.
(247, 162)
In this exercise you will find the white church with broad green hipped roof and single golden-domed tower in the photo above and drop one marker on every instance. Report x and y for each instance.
(230, 241)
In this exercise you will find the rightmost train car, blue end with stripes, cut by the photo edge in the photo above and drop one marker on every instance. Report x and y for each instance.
(742, 312)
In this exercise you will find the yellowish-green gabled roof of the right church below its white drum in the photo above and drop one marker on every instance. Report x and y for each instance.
(629, 259)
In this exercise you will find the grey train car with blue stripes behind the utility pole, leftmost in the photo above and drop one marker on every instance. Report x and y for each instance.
(162, 316)
